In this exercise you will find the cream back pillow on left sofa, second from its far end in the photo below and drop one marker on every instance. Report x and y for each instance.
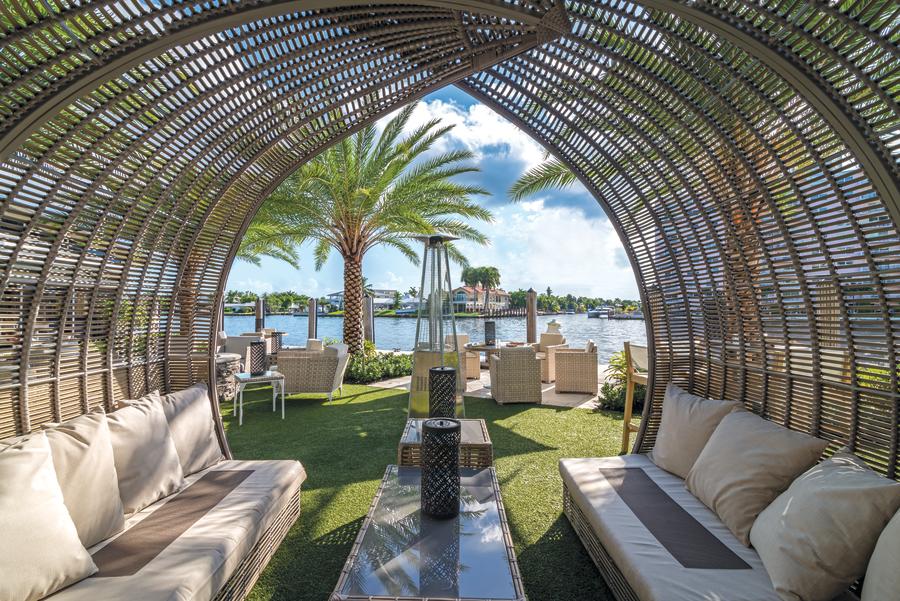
(146, 459)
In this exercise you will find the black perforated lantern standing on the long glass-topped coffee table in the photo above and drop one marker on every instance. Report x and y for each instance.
(440, 468)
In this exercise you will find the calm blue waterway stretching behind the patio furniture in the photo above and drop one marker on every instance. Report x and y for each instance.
(392, 333)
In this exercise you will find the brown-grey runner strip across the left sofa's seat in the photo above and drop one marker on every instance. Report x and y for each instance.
(140, 544)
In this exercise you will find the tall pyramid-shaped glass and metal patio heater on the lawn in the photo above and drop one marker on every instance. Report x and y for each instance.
(436, 343)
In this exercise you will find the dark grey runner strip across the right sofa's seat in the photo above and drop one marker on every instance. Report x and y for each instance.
(689, 542)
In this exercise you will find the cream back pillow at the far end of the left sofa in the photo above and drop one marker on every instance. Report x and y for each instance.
(190, 419)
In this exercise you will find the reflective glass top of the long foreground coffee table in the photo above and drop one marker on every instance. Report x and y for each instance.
(404, 555)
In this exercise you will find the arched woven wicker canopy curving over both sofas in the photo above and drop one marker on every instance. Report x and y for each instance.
(747, 153)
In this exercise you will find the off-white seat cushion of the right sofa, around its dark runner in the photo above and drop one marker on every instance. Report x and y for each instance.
(652, 571)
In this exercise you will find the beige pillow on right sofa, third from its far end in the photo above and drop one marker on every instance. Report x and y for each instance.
(815, 539)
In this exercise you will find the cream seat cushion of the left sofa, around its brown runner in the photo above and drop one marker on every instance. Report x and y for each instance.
(203, 557)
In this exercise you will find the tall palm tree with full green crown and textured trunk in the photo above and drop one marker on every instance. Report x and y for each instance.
(370, 190)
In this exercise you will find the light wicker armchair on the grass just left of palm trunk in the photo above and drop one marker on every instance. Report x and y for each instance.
(314, 371)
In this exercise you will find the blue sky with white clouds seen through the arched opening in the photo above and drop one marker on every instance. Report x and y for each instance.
(560, 239)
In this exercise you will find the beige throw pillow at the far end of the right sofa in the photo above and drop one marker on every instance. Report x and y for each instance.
(687, 423)
